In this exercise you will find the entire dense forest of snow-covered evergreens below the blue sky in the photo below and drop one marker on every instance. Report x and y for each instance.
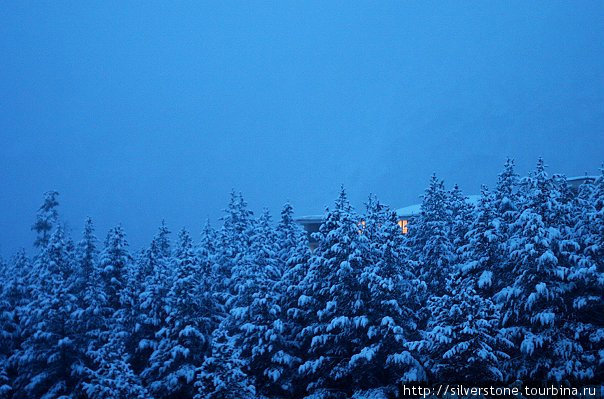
(504, 291)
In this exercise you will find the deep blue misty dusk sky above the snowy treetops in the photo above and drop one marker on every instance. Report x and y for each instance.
(142, 111)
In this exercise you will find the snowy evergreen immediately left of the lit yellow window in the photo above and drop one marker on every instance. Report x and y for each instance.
(392, 306)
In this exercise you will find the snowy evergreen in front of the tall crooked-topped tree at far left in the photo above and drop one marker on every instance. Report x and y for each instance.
(49, 352)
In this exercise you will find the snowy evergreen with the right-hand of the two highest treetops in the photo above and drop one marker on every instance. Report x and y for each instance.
(535, 305)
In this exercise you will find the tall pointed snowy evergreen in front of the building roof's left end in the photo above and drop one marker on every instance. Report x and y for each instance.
(334, 298)
